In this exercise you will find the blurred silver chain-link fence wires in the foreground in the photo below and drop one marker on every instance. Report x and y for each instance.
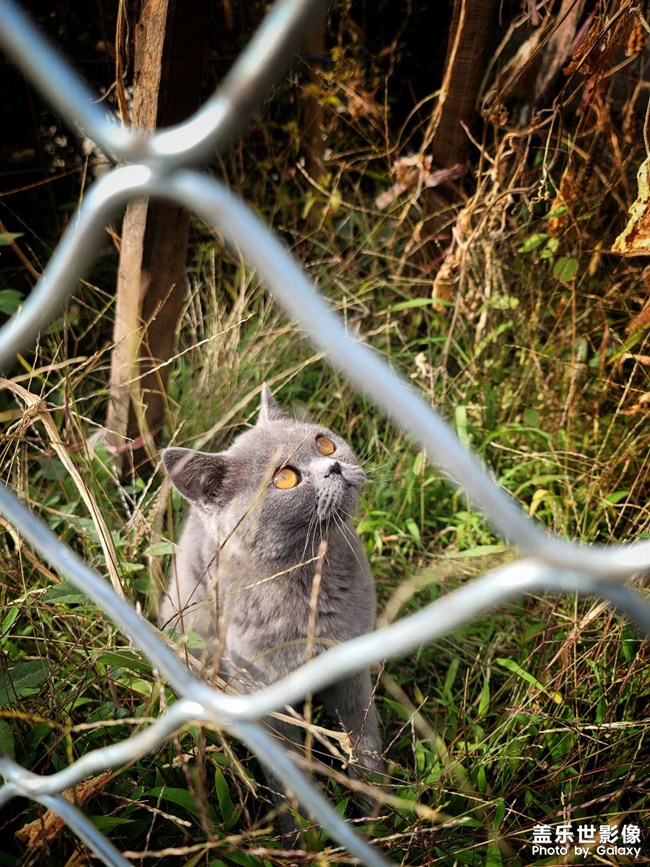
(160, 165)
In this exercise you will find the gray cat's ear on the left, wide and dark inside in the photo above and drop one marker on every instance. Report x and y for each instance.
(199, 476)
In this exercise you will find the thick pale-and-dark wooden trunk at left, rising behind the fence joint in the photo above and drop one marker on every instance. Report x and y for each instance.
(170, 48)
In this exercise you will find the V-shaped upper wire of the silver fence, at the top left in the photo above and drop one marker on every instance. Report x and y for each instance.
(212, 128)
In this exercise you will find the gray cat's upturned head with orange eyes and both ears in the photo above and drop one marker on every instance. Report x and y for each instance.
(282, 486)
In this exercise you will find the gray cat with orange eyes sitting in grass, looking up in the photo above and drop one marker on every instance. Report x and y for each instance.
(266, 515)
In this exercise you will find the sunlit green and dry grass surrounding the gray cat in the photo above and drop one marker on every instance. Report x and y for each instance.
(534, 714)
